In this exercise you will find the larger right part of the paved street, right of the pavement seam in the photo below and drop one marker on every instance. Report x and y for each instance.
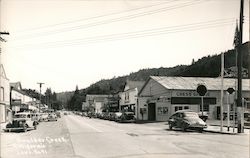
(99, 138)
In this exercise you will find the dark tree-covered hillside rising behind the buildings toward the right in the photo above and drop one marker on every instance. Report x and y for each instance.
(208, 66)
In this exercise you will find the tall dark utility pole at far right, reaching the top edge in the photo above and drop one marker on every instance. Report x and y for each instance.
(239, 67)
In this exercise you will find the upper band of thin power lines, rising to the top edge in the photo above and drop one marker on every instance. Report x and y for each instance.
(111, 20)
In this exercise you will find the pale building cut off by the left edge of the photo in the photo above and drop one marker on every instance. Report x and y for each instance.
(5, 111)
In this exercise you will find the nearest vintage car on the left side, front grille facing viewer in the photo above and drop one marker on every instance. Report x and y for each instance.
(22, 122)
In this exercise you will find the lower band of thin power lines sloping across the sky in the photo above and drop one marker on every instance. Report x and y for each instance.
(138, 34)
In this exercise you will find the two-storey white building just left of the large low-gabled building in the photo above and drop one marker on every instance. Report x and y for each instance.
(128, 98)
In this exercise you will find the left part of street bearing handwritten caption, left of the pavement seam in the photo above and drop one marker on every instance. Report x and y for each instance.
(51, 139)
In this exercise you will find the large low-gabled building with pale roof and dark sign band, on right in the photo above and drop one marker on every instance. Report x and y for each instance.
(160, 97)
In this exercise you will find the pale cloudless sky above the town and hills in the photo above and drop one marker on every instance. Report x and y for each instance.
(64, 43)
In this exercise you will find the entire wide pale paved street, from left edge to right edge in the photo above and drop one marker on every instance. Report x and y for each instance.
(75, 136)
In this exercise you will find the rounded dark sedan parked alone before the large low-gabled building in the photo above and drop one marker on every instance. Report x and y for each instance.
(186, 119)
